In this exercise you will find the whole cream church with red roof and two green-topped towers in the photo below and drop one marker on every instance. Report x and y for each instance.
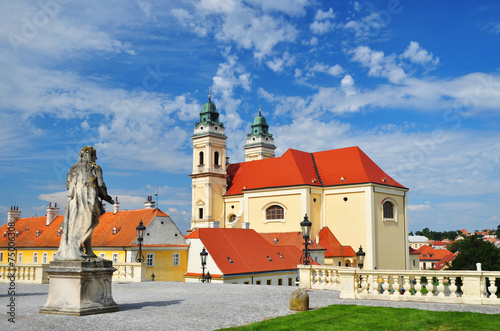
(341, 190)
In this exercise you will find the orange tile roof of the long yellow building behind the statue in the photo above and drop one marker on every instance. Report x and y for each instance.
(125, 221)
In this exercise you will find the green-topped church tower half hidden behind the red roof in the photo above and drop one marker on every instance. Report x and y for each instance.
(260, 143)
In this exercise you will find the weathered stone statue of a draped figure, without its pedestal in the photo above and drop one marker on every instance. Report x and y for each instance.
(86, 188)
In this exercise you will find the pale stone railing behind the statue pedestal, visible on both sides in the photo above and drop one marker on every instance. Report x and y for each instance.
(37, 273)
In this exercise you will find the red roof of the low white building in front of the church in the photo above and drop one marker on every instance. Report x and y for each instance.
(247, 250)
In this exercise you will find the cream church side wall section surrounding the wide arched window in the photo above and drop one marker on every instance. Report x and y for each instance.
(293, 216)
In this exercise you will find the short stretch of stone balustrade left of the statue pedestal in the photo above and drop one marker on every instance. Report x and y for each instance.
(24, 273)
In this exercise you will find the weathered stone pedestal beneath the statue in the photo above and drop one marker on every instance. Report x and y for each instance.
(80, 288)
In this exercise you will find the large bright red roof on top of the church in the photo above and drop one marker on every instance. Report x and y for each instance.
(294, 167)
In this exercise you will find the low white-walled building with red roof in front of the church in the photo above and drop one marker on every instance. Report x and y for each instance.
(241, 256)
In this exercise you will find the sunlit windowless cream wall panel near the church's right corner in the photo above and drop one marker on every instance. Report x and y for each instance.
(346, 219)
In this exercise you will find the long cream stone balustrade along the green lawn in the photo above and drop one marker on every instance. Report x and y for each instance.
(470, 287)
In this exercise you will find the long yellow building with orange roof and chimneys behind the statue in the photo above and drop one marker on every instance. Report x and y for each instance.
(36, 239)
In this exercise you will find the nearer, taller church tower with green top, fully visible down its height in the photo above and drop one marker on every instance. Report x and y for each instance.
(209, 169)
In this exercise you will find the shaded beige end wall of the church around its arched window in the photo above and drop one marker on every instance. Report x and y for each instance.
(390, 236)
